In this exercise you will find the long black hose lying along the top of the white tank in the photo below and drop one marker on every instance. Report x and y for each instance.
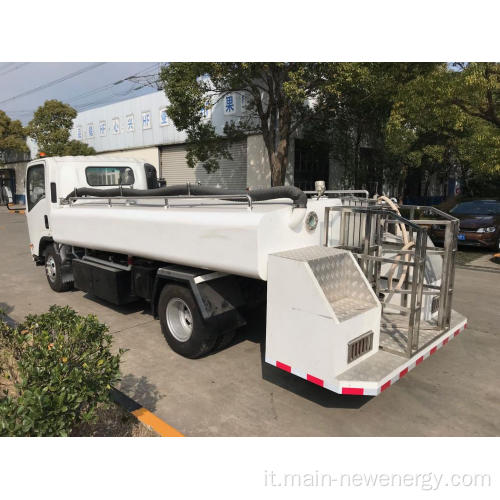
(298, 197)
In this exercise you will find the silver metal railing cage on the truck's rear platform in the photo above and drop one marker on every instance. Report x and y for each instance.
(370, 232)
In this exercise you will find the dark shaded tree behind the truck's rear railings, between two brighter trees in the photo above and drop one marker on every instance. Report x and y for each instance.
(355, 106)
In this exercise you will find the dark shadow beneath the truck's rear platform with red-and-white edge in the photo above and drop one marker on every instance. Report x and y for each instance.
(254, 331)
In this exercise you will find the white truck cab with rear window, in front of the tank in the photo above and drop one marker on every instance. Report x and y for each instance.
(48, 180)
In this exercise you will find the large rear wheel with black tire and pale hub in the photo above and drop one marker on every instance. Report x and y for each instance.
(201, 339)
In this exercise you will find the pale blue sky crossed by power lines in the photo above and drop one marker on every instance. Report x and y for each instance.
(84, 85)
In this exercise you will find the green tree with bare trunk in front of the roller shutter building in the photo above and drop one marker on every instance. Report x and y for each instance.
(280, 98)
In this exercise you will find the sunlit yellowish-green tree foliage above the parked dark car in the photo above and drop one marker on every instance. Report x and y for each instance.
(447, 119)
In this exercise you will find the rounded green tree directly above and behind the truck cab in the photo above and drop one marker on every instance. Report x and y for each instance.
(51, 128)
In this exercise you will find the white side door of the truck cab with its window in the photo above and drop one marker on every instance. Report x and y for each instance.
(37, 205)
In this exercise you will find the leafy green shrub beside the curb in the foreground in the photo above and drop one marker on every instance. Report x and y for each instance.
(60, 367)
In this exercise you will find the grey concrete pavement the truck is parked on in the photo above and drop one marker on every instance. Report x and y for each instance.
(234, 393)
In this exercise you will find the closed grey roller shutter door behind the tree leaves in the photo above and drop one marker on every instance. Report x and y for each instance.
(231, 173)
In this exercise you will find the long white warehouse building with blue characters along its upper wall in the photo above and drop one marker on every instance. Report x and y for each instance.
(140, 128)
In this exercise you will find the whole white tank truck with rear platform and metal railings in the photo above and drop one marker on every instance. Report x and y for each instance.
(356, 293)
